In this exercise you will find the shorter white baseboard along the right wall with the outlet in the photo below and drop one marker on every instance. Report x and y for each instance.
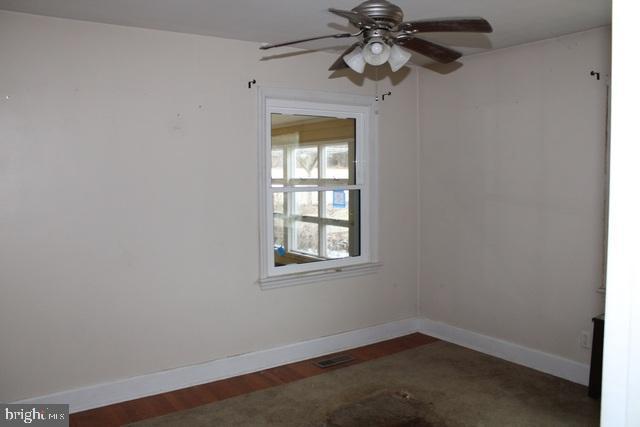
(535, 359)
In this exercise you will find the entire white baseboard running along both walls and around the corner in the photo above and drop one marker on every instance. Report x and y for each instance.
(98, 395)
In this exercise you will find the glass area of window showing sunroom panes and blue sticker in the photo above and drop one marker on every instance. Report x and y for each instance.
(315, 193)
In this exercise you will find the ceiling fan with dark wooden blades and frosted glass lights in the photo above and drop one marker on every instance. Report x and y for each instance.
(383, 37)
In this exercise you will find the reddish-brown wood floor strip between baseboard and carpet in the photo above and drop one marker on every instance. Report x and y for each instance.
(161, 404)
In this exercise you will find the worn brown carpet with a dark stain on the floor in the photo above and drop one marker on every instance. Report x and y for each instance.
(438, 384)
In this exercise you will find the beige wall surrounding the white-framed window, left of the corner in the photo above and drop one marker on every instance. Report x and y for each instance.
(128, 205)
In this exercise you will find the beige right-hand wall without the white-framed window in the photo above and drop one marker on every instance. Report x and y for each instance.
(512, 181)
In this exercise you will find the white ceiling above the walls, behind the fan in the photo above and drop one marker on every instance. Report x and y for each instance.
(514, 21)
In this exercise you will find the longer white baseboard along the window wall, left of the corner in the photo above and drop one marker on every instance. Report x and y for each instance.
(98, 395)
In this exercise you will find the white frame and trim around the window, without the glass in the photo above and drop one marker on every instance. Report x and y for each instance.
(360, 108)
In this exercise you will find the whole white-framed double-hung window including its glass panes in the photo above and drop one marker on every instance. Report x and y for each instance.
(317, 194)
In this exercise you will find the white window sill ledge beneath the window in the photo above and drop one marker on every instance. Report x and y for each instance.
(319, 275)
